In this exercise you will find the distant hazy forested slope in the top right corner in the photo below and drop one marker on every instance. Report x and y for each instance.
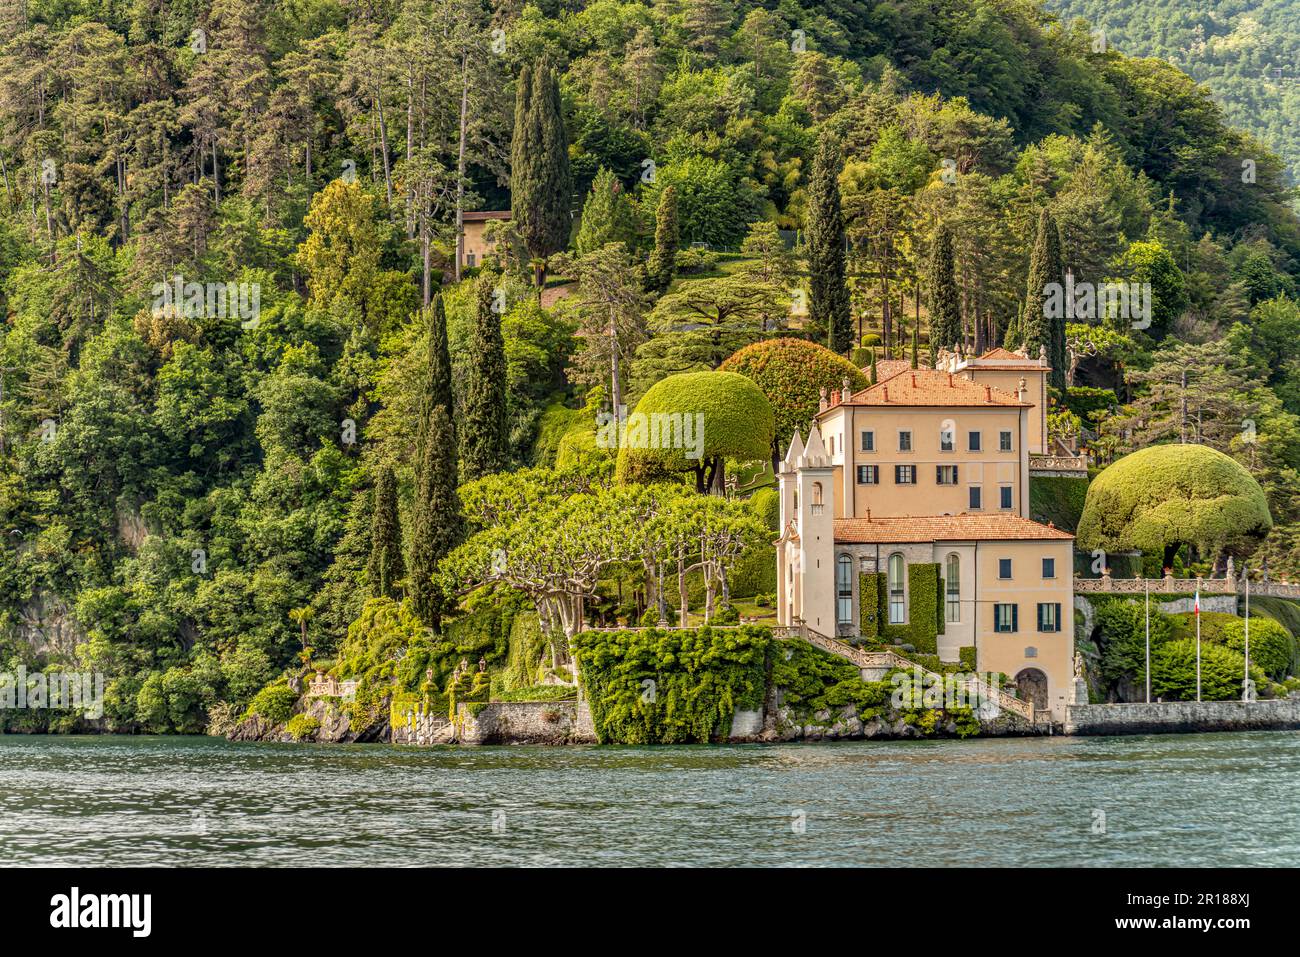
(1247, 54)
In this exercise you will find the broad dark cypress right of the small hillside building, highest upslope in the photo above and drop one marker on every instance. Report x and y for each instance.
(541, 183)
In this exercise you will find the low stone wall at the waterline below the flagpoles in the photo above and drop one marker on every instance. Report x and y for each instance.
(1184, 717)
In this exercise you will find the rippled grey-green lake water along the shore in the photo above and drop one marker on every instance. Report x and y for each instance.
(1167, 800)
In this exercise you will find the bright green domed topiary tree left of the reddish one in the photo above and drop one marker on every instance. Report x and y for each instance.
(695, 422)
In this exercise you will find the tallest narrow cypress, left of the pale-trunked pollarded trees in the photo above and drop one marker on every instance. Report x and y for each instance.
(436, 523)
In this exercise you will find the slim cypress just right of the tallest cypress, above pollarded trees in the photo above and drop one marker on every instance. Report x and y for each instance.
(486, 435)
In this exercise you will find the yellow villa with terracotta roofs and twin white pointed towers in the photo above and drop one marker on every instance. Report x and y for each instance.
(933, 467)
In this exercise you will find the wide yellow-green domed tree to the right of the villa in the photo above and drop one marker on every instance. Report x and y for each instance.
(1168, 496)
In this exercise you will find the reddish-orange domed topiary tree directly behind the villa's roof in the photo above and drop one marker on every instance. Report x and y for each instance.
(792, 374)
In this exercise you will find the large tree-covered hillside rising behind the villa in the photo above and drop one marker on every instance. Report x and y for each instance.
(244, 376)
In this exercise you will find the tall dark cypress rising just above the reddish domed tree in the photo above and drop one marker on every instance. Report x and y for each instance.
(830, 313)
